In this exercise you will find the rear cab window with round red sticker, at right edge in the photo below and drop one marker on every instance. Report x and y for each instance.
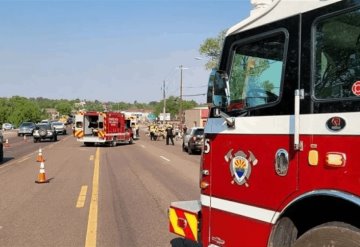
(337, 54)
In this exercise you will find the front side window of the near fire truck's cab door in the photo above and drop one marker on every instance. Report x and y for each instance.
(256, 72)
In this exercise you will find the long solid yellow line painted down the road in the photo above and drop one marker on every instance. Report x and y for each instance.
(93, 212)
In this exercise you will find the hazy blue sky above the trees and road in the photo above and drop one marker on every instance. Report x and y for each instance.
(109, 50)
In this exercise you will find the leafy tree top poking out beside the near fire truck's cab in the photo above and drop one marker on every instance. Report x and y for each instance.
(211, 49)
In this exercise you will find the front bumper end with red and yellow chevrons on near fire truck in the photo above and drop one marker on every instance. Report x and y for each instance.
(184, 219)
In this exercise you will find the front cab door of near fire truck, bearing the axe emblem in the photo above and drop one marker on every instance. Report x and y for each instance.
(254, 166)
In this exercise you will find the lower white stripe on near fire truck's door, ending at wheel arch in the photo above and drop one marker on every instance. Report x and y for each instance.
(245, 210)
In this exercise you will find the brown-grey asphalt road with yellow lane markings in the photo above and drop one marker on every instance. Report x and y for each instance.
(95, 196)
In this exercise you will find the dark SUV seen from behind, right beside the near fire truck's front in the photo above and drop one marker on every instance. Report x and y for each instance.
(193, 140)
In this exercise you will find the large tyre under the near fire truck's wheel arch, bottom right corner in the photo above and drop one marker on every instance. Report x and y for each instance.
(330, 234)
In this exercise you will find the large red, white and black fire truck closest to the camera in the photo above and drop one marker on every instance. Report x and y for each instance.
(281, 160)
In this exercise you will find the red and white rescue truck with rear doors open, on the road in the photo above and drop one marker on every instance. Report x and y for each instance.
(102, 128)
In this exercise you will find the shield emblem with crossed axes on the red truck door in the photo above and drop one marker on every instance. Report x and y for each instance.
(240, 165)
